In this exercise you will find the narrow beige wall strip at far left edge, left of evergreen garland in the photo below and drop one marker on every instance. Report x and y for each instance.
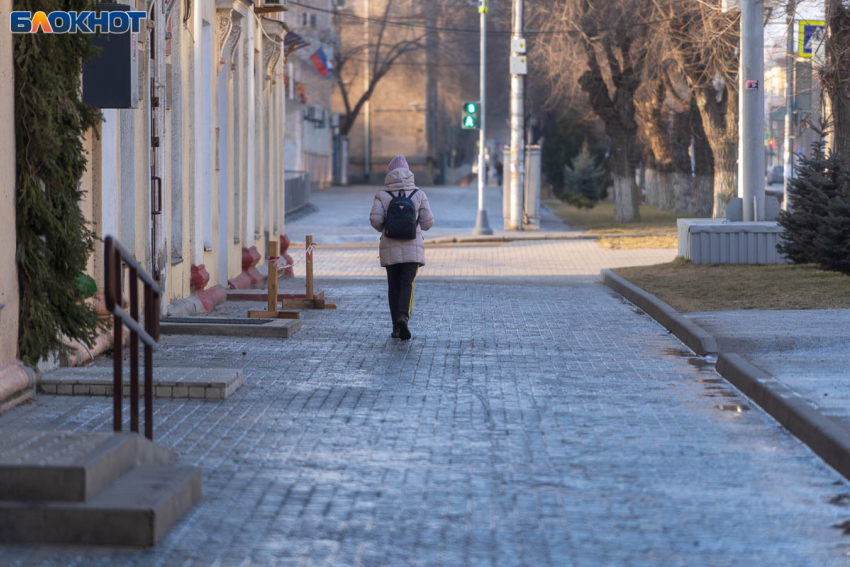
(8, 275)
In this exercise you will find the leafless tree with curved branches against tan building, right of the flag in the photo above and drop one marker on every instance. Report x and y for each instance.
(389, 40)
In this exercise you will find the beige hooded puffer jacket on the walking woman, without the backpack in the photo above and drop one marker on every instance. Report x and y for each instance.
(395, 251)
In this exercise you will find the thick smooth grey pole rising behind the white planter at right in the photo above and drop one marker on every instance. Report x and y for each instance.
(751, 73)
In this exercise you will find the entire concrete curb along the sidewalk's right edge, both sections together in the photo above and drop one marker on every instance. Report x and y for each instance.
(828, 438)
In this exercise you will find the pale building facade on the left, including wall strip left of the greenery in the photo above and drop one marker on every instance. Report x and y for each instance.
(192, 180)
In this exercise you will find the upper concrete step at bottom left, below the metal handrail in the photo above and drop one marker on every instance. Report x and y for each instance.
(73, 466)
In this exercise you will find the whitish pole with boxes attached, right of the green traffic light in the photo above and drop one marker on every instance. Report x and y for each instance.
(517, 119)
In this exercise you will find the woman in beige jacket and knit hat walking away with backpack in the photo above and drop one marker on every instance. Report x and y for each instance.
(400, 213)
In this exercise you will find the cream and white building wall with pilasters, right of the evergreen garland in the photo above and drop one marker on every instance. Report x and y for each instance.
(219, 82)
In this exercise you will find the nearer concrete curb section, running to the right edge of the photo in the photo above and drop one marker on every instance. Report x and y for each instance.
(827, 437)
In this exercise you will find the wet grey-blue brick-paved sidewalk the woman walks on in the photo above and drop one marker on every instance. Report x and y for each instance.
(539, 422)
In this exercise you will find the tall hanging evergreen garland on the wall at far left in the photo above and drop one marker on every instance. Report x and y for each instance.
(54, 240)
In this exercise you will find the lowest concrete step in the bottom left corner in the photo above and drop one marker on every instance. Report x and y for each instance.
(135, 510)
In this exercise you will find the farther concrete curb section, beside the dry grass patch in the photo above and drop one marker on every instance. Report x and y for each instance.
(685, 330)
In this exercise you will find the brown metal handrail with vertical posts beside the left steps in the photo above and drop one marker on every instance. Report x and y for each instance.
(115, 259)
